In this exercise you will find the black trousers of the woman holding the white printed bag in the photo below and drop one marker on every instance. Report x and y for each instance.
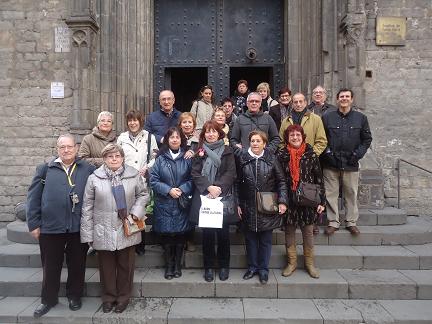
(223, 248)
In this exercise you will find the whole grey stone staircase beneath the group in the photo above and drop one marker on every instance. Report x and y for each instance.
(382, 276)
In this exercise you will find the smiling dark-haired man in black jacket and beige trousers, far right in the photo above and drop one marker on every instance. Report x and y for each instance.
(349, 137)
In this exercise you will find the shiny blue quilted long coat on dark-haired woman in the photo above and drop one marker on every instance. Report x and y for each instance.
(165, 174)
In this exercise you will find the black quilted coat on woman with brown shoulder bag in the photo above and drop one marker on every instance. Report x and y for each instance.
(264, 174)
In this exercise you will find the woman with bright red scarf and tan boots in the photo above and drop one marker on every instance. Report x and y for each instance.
(301, 165)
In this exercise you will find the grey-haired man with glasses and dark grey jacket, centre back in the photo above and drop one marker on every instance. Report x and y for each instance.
(254, 119)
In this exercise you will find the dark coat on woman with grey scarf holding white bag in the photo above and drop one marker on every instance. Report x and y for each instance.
(225, 178)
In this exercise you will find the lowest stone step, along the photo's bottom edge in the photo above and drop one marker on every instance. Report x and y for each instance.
(225, 310)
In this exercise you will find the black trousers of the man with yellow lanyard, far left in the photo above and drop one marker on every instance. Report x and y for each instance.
(53, 247)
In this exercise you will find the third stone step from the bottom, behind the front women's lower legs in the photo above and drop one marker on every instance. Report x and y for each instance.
(408, 257)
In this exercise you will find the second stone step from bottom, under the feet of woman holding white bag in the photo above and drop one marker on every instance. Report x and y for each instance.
(332, 284)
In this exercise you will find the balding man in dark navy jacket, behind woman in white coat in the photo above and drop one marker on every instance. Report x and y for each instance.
(158, 122)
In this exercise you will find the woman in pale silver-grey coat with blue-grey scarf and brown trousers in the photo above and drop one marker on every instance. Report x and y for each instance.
(113, 192)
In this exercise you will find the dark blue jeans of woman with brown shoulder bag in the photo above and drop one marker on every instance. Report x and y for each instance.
(258, 248)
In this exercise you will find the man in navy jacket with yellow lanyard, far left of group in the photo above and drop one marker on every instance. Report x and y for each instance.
(54, 203)
